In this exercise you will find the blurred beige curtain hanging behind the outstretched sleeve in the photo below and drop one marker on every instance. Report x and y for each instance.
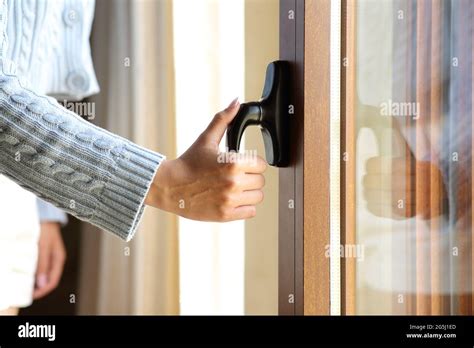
(133, 57)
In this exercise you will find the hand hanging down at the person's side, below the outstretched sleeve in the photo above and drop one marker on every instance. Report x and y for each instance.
(51, 258)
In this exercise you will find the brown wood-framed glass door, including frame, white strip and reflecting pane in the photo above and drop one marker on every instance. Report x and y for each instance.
(375, 209)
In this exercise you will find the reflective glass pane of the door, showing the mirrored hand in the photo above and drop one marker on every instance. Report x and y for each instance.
(408, 137)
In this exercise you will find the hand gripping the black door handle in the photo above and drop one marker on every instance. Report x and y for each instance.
(199, 186)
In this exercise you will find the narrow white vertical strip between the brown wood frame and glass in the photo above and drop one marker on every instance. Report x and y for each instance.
(334, 159)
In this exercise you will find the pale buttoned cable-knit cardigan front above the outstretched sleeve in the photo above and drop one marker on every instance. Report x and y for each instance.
(49, 43)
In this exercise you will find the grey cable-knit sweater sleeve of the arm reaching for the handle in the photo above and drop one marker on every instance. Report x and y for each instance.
(82, 169)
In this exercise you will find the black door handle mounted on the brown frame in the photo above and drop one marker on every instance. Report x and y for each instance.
(271, 113)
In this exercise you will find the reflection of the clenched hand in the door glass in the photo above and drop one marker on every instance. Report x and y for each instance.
(392, 190)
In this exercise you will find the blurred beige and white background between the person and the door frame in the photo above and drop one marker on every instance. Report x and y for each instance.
(165, 67)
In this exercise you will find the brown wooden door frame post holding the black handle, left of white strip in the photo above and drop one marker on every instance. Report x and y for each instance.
(304, 185)
